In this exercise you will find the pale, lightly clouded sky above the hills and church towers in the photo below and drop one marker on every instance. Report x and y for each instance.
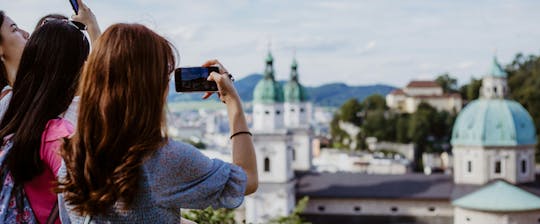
(351, 41)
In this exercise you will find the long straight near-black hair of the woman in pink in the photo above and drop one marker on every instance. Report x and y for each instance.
(44, 89)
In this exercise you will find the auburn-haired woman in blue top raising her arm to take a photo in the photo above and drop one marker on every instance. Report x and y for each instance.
(120, 165)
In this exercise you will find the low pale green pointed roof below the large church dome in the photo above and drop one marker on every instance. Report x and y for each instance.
(499, 197)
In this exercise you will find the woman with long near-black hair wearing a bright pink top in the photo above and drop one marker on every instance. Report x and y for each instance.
(43, 90)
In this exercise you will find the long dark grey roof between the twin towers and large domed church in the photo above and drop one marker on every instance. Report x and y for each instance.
(415, 186)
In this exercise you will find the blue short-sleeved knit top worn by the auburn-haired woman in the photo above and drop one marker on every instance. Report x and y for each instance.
(177, 176)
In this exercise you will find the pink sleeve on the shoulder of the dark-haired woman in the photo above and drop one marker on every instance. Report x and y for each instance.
(51, 141)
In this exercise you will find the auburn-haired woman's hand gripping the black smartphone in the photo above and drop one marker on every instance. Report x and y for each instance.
(226, 91)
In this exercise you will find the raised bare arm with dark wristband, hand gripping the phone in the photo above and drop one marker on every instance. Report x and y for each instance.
(242, 143)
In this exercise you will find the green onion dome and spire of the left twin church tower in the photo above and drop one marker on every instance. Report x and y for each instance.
(268, 91)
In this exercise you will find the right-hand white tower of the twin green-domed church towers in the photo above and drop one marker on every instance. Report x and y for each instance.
(297, 110)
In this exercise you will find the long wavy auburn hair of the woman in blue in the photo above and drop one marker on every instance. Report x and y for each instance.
(121, 118)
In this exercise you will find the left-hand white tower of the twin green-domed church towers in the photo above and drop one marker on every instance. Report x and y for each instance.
(275, 195)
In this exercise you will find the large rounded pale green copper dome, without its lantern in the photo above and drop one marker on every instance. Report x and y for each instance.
(494, 122)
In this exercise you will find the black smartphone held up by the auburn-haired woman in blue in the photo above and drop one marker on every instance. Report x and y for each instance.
(194, 79)
